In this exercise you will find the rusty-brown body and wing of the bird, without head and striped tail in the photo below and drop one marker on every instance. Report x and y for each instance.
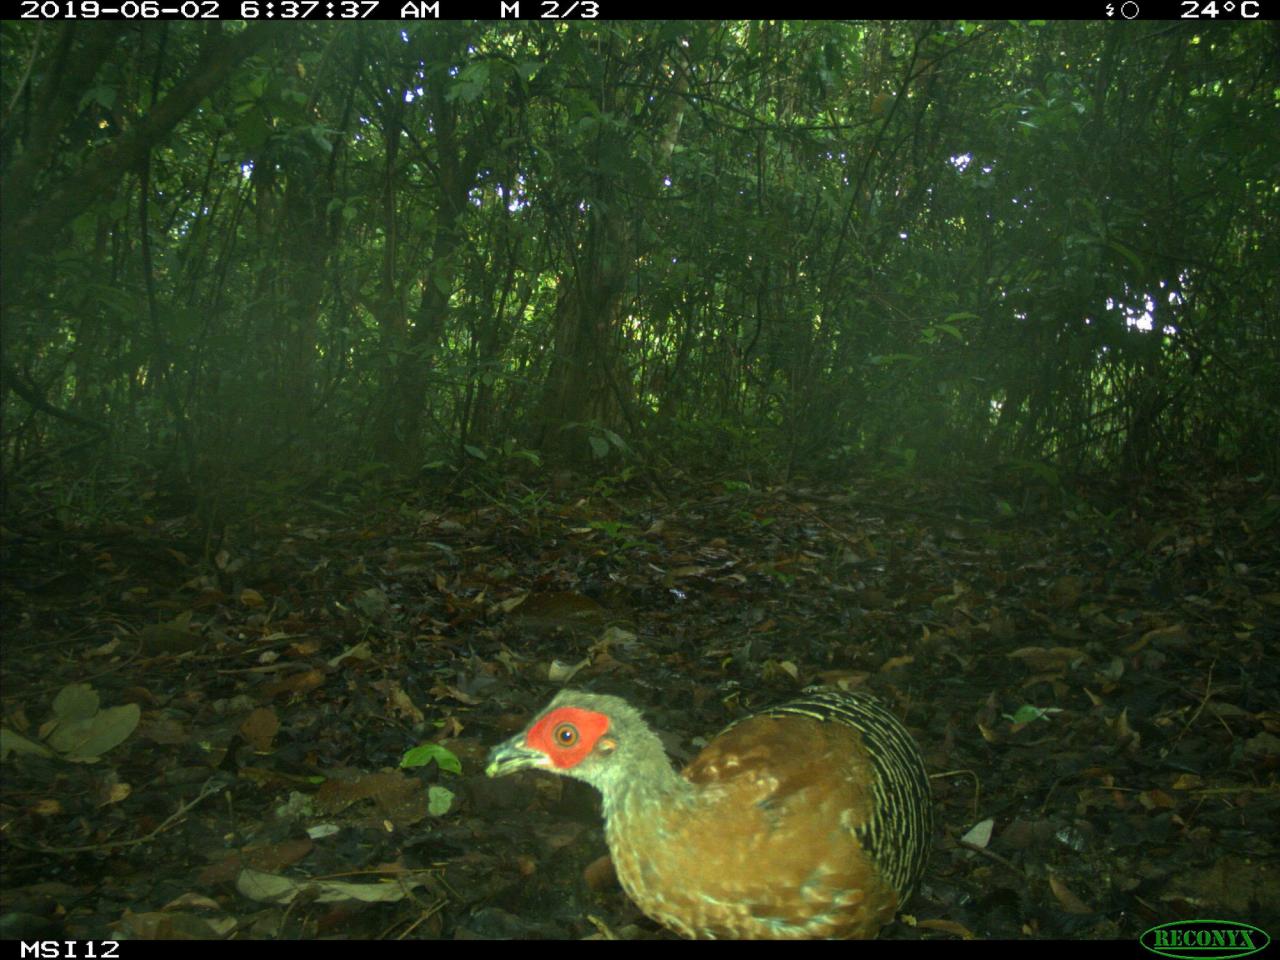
(770, 847)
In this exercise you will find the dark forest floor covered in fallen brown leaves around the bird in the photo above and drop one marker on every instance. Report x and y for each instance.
(282, 735)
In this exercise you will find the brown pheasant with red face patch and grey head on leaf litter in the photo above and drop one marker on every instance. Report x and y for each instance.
(808, 820)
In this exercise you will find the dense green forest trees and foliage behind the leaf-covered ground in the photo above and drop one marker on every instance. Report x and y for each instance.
(239, 254)
